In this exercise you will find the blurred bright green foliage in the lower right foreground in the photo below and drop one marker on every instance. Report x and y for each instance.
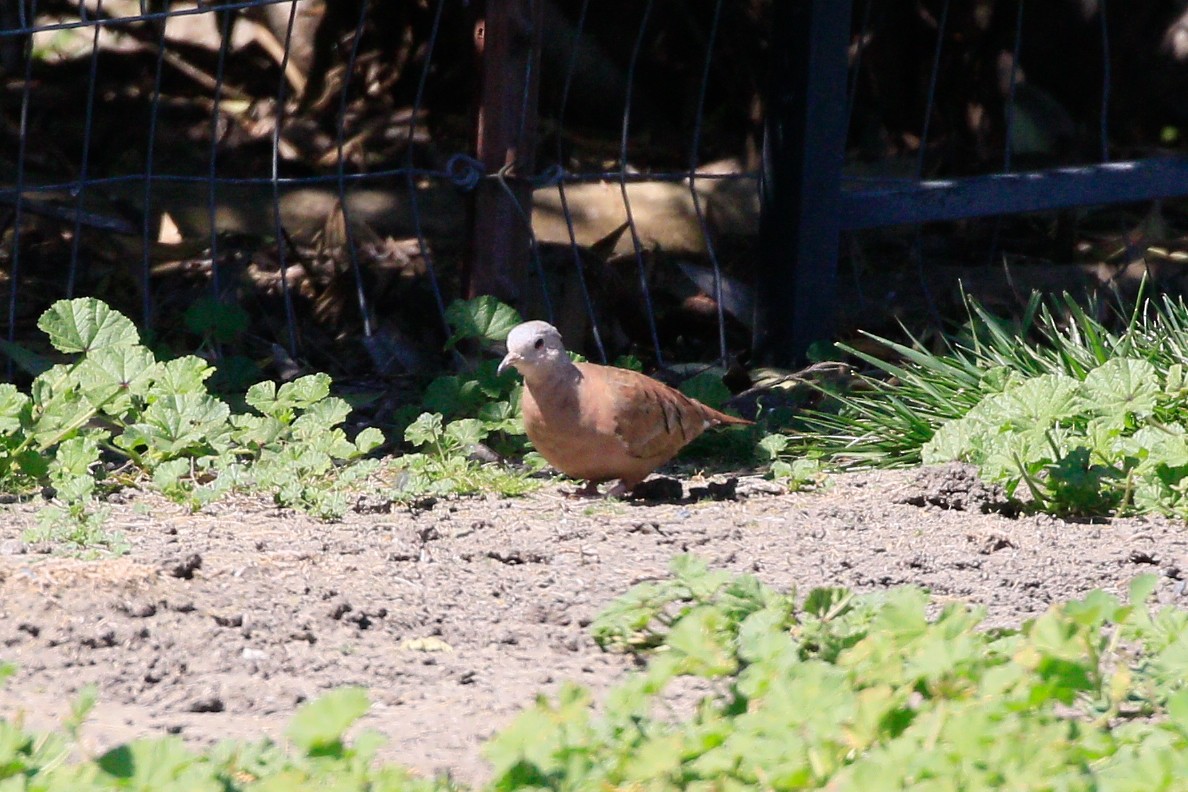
(864, 693)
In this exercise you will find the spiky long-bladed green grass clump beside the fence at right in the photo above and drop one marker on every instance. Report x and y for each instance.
(887, 417)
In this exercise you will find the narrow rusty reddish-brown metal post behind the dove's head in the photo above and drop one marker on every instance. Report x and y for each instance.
(508, 39)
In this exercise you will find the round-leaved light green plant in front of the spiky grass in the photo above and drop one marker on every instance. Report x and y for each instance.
(1115, 442)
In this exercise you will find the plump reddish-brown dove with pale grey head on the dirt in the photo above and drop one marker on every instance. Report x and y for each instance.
(601, 423)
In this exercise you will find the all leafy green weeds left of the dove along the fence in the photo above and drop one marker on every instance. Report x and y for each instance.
(115, 415)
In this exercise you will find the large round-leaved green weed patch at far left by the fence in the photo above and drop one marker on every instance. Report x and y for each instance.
(116, 415)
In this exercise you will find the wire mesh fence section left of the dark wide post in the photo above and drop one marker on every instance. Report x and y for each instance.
(320, 180)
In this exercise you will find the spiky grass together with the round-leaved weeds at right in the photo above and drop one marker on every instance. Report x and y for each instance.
(1082, 419)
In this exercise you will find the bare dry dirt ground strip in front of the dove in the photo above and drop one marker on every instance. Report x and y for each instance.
(222, 624)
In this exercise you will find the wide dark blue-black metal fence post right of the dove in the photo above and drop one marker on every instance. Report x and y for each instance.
(804, 151)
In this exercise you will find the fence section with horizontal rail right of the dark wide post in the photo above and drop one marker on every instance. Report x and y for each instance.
(968, 119)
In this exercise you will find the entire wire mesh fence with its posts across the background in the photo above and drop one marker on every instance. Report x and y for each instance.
(315, 181)
